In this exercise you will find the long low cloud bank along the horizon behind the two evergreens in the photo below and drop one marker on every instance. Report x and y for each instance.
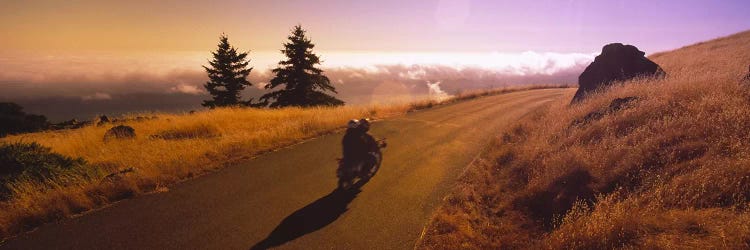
(80, 86)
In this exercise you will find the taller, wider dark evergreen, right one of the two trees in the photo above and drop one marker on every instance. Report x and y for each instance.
(304, 84)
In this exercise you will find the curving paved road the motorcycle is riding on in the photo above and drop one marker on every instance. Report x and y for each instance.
(286, 199)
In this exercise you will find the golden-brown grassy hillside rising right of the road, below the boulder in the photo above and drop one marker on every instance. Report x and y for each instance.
(670, 169)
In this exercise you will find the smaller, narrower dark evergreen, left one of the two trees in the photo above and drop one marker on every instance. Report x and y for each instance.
(227, 76)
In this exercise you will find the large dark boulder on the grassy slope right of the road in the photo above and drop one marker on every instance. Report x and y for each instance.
(617, 62)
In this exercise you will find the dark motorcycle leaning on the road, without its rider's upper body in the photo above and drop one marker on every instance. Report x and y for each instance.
(364, 170)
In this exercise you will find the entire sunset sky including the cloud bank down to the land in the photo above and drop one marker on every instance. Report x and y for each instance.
(97, 50)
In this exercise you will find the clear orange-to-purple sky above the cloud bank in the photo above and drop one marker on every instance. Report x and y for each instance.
(458, 25)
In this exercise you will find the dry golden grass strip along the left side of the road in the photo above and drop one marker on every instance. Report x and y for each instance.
(169, 149)
